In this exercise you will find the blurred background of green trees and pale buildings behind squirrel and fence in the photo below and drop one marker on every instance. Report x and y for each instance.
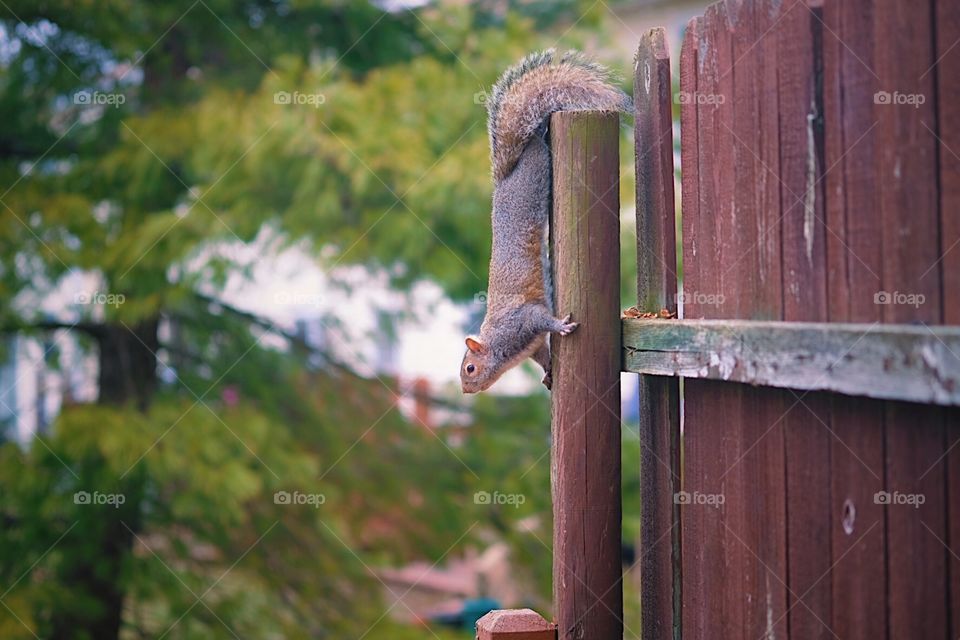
(240, 243)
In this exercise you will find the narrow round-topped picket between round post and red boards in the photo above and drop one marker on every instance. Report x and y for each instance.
(656, 289)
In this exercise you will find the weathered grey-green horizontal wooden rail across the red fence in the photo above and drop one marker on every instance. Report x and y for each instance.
(894, 362)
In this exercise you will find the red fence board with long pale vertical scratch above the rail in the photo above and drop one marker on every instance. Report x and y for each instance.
(806, 424)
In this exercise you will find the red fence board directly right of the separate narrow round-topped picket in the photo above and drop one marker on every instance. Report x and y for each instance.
(706, 607)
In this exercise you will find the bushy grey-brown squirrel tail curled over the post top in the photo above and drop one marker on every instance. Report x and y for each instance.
(537, 86)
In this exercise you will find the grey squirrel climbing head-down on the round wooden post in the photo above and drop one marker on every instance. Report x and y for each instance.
(520, 311)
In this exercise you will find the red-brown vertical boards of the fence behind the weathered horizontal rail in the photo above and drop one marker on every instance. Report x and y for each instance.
(820, 184)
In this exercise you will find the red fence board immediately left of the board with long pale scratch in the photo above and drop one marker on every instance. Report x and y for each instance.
(752, 276)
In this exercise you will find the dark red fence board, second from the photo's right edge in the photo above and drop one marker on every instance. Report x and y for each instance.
(907, 184)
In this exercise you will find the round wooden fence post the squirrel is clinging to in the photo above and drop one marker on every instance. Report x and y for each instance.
(587, 572)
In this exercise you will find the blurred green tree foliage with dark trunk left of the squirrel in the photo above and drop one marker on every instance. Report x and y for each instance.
(141, 137)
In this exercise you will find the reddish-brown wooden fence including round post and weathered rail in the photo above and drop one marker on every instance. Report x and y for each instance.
(800, 473)
